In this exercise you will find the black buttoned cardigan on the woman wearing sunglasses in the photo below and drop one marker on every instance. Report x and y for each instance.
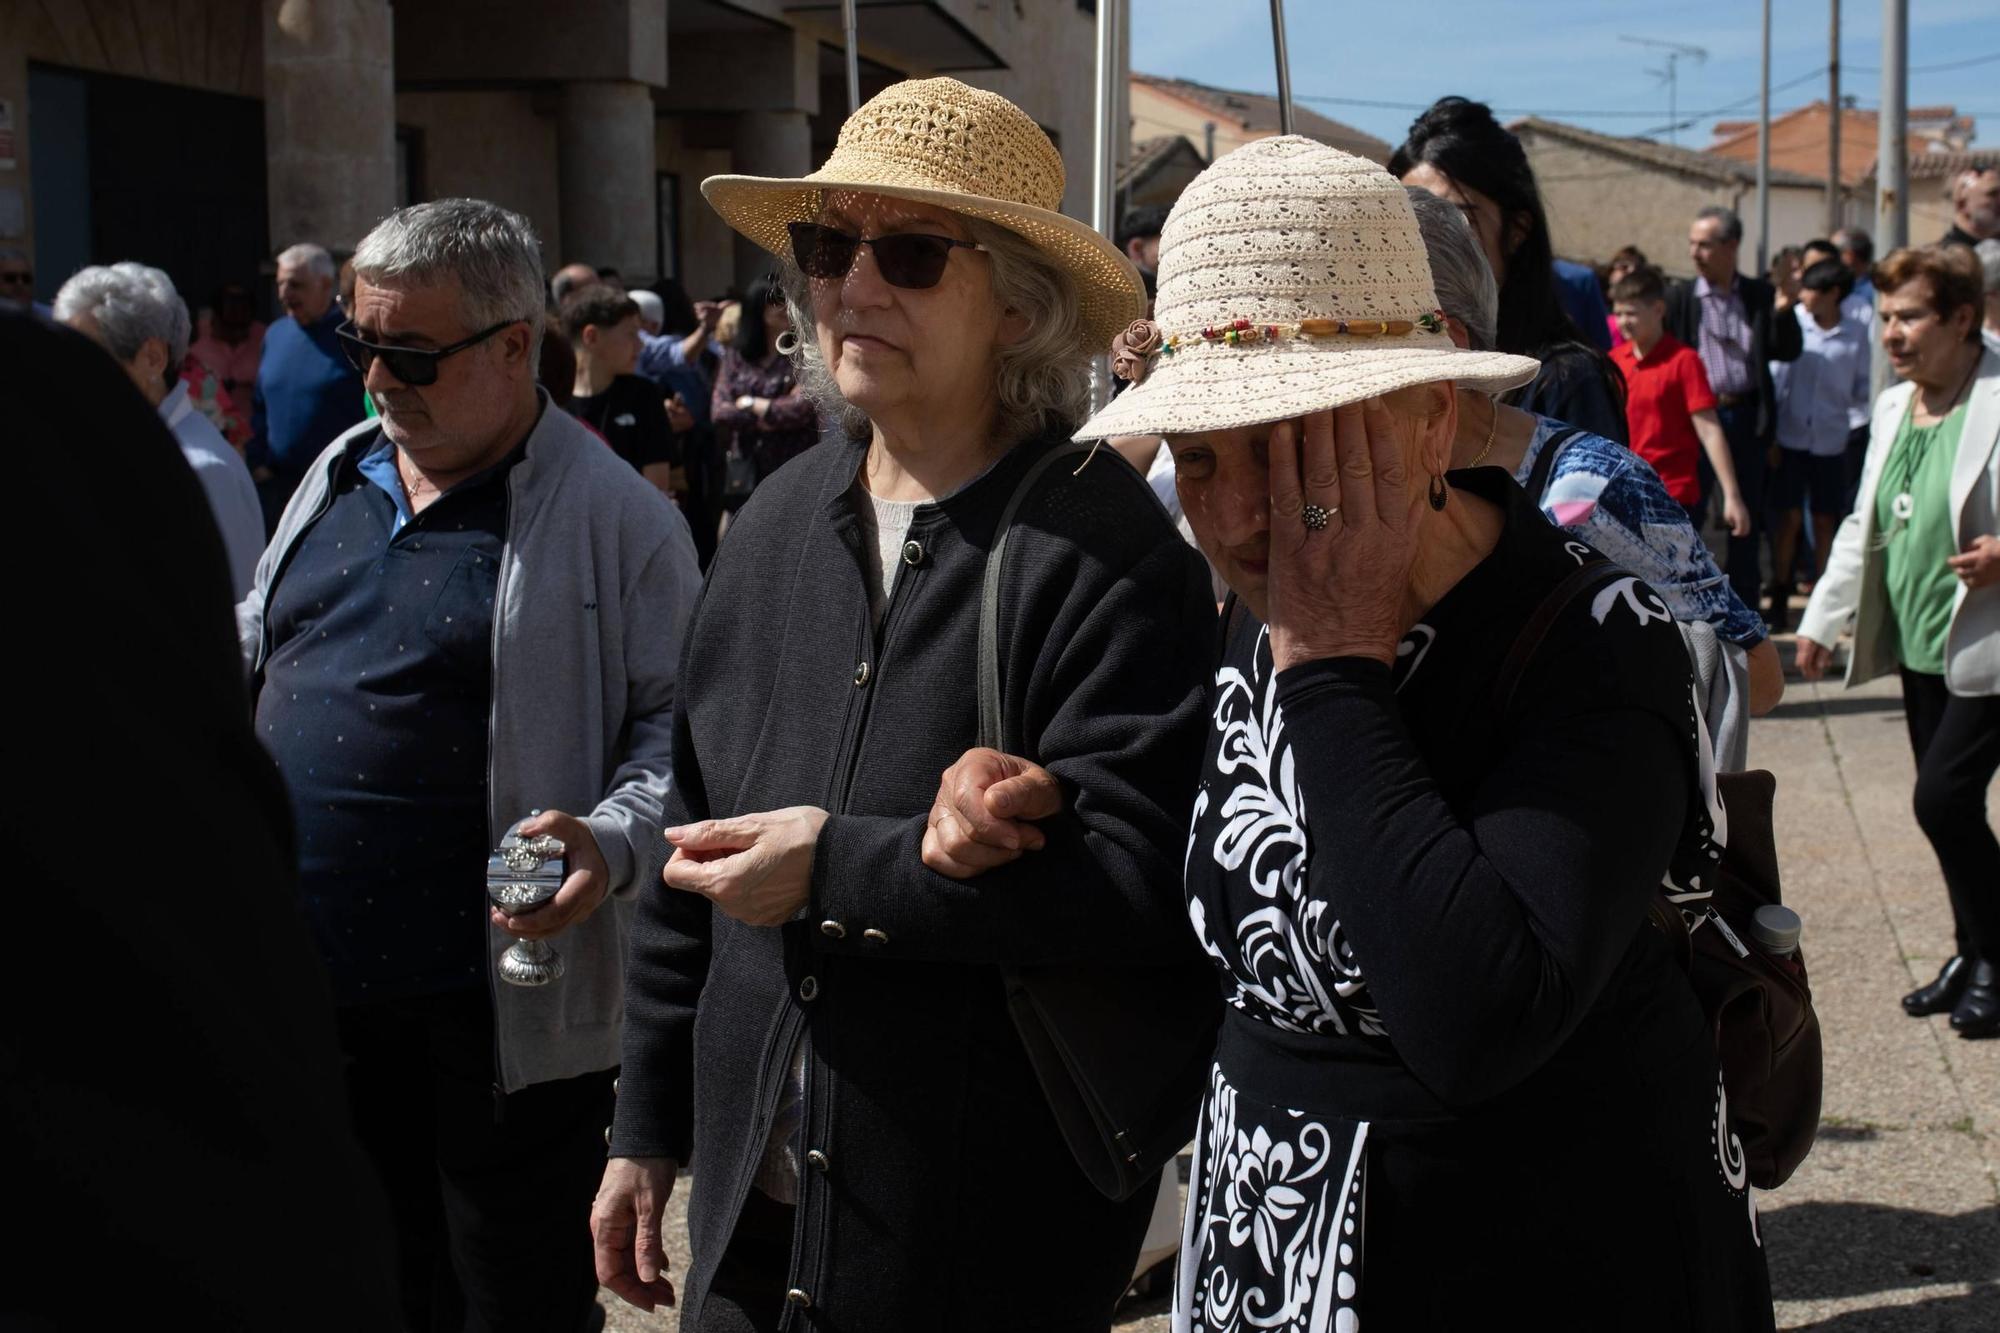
(941, 1194)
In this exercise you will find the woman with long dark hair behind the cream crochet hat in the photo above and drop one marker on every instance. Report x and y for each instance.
(1461, 153)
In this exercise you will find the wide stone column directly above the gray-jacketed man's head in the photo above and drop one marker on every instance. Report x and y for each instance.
(329, 119)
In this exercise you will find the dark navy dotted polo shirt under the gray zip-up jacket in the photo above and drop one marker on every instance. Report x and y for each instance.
(375, 704)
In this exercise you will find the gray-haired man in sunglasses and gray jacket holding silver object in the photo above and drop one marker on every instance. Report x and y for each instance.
(471, 613)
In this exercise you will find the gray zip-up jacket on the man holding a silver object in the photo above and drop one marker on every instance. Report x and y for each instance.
(597, 581)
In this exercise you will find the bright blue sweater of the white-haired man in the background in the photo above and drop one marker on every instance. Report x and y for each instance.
(307, 395)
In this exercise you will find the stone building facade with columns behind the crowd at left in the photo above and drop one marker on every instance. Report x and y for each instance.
(207, 135)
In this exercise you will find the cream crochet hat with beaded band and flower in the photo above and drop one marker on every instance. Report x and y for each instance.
(1293, 279)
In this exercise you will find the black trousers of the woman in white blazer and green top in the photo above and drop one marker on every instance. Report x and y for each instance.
(1957, 744)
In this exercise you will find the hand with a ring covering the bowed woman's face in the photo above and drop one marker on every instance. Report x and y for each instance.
(1339, 591)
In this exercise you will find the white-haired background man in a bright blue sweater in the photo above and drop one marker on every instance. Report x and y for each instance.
(307, 393)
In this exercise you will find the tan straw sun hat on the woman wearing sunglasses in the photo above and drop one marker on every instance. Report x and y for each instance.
(939, 141)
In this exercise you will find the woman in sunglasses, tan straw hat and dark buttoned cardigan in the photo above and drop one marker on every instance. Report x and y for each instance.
(815, 1014)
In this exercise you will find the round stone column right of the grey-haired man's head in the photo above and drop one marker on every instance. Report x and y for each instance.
(605, 161)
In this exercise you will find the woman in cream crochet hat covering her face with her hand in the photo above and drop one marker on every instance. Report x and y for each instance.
(1453, 762)
